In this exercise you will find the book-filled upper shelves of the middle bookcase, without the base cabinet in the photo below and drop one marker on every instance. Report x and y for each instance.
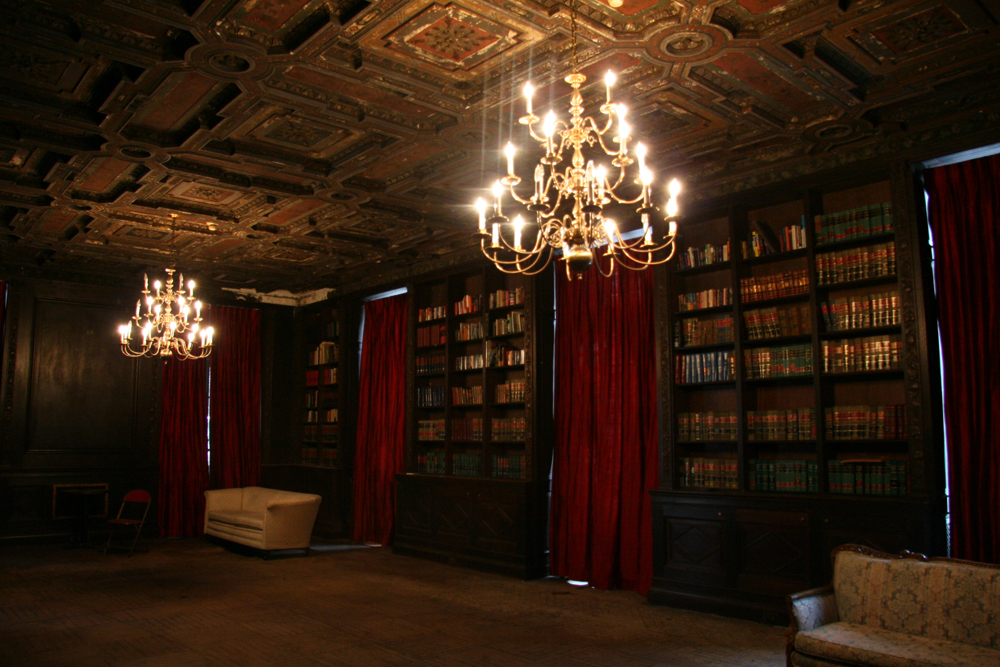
(470, 378)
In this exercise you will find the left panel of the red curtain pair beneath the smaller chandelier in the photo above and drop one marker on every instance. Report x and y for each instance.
(183, 449)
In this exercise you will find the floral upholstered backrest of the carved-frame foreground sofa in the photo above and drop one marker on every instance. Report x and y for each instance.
(935, 600)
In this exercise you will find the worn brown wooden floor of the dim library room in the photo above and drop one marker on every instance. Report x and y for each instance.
(188, 602)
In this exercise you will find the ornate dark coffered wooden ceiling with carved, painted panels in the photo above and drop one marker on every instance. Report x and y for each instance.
(302, 144)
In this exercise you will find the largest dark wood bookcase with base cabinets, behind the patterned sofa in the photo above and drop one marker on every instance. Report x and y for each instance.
(796, 385)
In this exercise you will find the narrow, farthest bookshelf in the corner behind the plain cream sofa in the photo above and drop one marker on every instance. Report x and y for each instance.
(321, 404)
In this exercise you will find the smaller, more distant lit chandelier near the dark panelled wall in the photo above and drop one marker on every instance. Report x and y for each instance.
(168, 319)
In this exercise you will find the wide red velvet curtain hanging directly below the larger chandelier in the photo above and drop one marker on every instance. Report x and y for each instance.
(606, 451)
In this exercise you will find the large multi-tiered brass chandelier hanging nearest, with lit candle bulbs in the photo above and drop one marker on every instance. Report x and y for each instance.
(569, 200)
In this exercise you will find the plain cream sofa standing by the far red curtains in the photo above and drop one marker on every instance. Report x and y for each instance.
(266, 519)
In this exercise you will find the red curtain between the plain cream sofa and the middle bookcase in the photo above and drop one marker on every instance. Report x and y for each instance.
(380, 449)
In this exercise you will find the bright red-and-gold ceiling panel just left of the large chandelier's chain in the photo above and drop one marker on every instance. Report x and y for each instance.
(451, 37)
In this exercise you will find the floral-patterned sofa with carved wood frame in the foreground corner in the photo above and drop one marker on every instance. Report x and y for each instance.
(898, 611)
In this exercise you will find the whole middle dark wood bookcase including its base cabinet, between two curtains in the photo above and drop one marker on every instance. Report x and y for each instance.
(479, 406)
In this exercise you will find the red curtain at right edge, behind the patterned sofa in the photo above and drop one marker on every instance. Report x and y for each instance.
(965, 218)
